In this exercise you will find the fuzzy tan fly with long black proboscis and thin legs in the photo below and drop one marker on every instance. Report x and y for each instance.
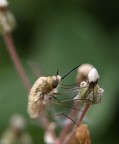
(42, 93)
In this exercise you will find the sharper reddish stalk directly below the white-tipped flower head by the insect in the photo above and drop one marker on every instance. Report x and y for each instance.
(85, 109)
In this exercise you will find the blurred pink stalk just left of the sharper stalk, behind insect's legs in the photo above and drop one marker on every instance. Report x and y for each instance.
(72, 114)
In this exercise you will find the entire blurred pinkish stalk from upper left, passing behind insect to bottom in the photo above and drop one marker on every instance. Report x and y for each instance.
(18, 65)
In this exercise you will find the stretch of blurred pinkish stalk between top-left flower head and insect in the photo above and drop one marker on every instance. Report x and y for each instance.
(11, 49)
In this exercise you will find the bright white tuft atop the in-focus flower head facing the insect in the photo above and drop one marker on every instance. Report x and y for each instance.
(93, 75)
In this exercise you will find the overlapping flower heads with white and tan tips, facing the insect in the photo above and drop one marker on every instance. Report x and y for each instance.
(89, 92)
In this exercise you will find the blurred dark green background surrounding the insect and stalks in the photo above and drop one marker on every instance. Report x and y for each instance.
(63, 34)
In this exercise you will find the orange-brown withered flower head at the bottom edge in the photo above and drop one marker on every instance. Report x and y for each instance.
(82, 135)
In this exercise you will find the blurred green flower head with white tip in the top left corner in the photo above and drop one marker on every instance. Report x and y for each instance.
(7, 20)
